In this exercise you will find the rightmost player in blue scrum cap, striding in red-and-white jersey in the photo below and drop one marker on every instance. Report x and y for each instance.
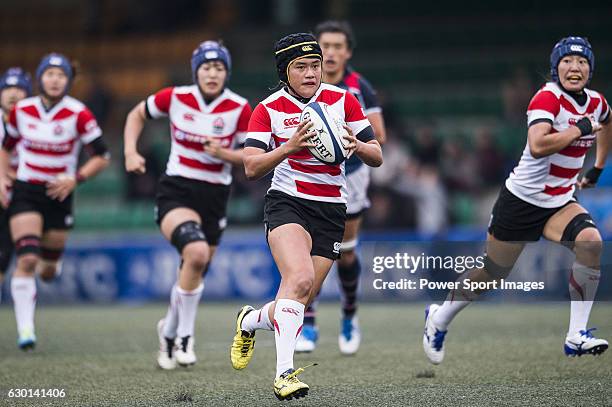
(564, 119)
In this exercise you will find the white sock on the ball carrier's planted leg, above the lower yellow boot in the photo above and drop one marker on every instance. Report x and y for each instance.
(288, 321)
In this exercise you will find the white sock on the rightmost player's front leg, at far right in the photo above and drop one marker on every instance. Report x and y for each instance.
(582, 287)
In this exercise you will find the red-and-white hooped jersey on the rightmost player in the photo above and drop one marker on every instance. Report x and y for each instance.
(549, 182)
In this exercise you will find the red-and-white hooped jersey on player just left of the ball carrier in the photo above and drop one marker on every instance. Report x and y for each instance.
(193, 122)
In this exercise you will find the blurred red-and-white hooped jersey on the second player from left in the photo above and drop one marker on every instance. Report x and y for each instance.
(48, 142)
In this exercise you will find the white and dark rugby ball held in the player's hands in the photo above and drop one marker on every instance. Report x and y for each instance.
(329, 145)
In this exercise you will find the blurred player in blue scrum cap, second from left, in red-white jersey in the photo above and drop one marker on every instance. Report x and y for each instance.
(49, 131)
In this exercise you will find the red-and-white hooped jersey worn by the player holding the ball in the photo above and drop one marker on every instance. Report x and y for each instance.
(275, 120)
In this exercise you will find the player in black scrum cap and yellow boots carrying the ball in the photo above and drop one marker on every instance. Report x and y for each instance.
(305, 207)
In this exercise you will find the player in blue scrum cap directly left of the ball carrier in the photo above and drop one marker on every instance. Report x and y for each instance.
(208, 126)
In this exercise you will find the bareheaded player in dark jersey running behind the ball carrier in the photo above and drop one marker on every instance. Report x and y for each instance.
(338, 42)
